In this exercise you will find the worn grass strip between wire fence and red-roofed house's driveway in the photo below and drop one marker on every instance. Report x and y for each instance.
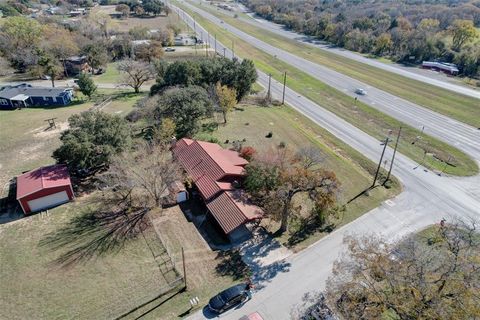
(208, 272)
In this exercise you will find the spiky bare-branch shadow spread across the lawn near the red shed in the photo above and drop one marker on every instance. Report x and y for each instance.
(93, 233)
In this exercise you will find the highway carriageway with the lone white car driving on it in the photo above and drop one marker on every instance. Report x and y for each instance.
(454, 132)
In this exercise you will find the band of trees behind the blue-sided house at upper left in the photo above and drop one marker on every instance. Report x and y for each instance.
(42, 46)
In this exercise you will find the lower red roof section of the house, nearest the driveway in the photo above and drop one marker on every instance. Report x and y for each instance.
(231, 209)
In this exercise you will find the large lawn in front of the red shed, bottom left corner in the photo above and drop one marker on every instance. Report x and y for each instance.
(120, 275)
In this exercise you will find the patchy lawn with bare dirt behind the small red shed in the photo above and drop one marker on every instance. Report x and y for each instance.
(25, 143)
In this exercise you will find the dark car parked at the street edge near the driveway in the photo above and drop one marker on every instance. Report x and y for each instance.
(230, 298)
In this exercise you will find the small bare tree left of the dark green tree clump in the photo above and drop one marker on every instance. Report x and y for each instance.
(136, 73)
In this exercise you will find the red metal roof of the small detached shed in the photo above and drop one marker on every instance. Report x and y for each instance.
(42, 178)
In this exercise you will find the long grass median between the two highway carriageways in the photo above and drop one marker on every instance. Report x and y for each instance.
(457, 106)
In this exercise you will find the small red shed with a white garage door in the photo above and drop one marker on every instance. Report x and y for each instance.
(44, 188)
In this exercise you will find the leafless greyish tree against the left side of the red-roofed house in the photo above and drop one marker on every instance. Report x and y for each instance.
(141, 179)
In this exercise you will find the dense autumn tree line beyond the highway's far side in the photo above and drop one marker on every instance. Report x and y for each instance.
(405, 31)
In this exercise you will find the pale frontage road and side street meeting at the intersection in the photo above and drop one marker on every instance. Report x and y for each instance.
(426, 199)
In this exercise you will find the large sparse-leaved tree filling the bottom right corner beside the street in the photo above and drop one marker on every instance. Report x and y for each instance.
(431, 275)
